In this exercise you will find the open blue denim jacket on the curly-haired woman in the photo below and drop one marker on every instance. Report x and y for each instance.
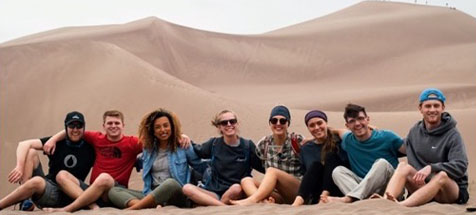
(179, 168)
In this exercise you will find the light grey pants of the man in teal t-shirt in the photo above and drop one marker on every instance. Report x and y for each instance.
(375, 181)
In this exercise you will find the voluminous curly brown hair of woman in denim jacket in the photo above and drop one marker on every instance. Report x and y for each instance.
(146, 129)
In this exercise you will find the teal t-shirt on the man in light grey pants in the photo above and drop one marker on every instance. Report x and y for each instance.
(381, 144)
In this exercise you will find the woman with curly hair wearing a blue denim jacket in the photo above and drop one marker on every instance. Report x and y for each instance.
(166, 165)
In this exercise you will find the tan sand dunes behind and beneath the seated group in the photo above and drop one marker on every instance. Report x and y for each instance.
(378, 54)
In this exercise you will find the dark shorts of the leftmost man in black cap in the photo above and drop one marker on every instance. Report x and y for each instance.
(53, 196)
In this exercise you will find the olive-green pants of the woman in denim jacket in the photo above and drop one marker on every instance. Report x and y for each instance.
(167, 193)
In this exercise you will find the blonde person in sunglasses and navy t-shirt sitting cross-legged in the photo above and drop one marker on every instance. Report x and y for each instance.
(232, 158)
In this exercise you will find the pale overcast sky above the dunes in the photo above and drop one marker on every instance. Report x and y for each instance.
(24, 17)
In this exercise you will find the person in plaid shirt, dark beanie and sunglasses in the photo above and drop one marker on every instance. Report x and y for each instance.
(280, 155)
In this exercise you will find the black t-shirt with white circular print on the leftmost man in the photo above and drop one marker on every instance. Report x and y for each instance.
(74, 158)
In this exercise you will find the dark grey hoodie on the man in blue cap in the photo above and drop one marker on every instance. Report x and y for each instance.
(442, 148)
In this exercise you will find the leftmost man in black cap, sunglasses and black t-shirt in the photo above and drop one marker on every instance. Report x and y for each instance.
(74, 155)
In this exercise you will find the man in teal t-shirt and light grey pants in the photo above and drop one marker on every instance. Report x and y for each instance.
(373, 156)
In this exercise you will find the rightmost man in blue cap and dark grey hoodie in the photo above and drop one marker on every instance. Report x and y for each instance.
(437, 161)
